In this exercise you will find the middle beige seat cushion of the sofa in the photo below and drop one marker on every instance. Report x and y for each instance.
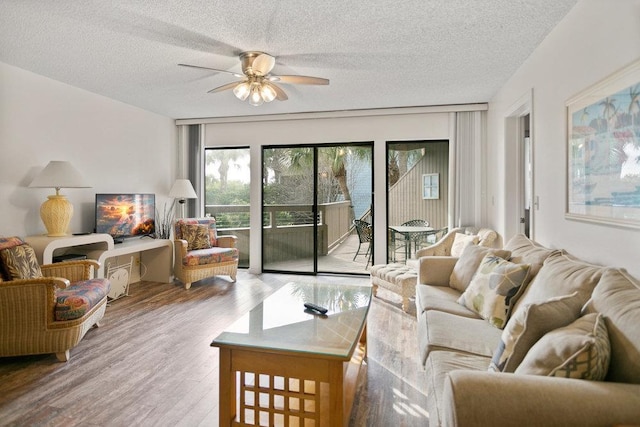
(446, 331)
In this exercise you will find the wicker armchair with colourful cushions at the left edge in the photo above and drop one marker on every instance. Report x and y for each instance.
(29, 309)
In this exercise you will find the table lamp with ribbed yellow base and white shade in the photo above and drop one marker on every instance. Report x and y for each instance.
(56, 212)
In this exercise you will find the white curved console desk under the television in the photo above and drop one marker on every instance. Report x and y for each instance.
(155, 254)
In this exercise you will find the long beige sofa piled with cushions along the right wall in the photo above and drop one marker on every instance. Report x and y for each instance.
(564, 319)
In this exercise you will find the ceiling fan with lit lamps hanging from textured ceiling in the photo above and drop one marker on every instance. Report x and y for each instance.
(257, 84)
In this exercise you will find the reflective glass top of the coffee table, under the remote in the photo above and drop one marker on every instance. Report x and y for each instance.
(281, 323)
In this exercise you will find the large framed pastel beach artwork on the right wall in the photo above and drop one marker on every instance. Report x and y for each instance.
(603, 143)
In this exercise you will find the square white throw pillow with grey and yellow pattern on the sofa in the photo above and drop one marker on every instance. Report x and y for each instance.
(493, 289)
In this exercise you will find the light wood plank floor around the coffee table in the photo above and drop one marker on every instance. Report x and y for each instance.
(150, 363)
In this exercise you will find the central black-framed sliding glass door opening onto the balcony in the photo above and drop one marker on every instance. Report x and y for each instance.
(311, 196)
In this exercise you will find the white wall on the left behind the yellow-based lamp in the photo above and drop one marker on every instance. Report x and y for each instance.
(117, 147)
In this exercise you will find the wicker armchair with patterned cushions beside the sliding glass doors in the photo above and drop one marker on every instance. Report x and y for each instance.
(200, 253)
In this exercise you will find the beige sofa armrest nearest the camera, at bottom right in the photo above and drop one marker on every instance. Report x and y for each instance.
(473, 398)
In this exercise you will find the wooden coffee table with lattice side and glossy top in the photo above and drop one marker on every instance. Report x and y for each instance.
(282, 365)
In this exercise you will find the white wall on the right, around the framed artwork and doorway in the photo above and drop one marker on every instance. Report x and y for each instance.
(595, 39)
